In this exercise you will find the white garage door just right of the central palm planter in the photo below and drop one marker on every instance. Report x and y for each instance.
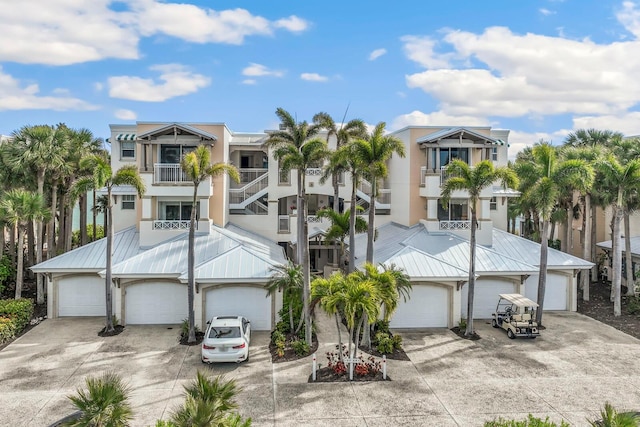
(427, 308)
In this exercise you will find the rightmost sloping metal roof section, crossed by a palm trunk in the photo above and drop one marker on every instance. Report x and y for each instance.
(529, 251)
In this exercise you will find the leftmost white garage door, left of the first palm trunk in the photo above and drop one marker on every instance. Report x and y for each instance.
(81, 296)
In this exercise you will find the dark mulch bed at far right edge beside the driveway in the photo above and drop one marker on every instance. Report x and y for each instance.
(600, 308)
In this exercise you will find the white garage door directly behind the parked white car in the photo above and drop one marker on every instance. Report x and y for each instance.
(247, 301)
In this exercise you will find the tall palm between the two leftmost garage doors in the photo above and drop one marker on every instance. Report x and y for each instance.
(103, 177)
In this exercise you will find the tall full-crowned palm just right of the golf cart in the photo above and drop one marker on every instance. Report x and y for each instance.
(541, 179)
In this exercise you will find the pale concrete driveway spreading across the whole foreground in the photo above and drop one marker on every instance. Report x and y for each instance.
(567, 373)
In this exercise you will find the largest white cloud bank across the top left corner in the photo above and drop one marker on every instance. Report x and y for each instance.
(77, 31)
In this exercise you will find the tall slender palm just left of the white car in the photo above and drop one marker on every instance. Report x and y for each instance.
(197, 167)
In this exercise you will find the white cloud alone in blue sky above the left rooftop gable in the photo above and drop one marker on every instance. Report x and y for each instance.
(175, 80)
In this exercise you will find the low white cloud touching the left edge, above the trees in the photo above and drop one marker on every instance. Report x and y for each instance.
(16, 96)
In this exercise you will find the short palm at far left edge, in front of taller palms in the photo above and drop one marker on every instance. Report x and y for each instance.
(21, 207)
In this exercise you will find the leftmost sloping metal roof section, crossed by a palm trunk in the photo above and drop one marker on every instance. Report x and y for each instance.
(92, 257)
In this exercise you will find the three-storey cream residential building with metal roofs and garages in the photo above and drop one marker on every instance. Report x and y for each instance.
(246, 228)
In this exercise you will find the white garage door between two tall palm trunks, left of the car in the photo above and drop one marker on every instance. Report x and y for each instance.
(155, 303)
